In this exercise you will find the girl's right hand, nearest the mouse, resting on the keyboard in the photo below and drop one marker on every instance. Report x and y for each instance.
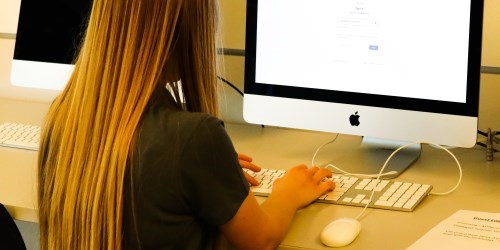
(302, 185)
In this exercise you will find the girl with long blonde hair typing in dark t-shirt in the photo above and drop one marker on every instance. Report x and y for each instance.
(132, 154)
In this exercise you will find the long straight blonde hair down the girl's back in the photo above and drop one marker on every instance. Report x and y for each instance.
(131, 47)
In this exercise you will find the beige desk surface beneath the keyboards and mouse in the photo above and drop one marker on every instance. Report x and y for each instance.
(283, 148)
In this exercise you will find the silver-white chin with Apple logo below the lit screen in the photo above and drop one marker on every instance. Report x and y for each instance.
(296, 113)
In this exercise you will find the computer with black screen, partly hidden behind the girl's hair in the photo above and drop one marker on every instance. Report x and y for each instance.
(48, 36)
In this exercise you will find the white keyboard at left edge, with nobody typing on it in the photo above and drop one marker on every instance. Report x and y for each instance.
(22, 136)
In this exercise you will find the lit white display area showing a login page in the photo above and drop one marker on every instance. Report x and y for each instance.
(407, 48)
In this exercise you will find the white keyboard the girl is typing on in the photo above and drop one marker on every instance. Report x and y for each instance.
(354, 191)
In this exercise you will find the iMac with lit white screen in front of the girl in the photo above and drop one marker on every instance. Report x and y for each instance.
(393, 72)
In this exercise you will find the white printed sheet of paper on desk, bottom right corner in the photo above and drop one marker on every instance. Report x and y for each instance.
(463, 230)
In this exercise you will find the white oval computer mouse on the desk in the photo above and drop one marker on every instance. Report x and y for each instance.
(340, 232)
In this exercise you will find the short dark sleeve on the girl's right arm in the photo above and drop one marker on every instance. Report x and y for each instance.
(213, 183)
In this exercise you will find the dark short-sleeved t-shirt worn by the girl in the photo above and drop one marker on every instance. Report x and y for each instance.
(187, 182)
